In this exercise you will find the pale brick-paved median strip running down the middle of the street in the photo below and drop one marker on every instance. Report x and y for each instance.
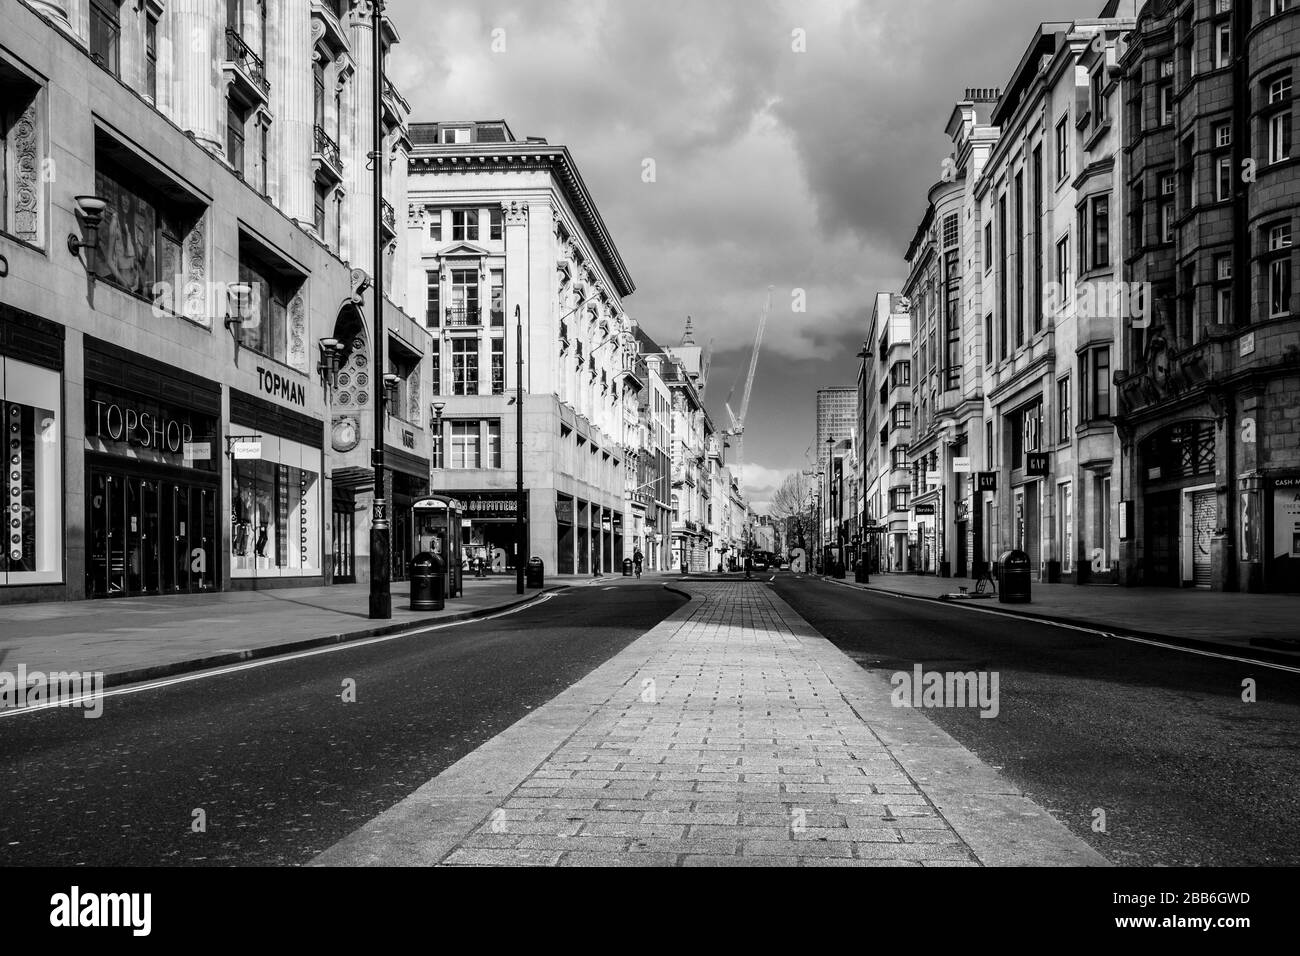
(731, 734)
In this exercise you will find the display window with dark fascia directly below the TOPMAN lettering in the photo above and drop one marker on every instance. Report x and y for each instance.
(276, 495)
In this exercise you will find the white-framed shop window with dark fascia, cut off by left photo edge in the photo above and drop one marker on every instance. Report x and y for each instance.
(32, 362)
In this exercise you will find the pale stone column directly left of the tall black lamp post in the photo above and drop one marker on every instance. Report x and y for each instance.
(358, 140)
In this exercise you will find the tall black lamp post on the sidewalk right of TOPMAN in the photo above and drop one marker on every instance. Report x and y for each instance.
(382, 570)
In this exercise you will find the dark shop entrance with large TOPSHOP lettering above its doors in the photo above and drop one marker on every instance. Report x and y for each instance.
(153, 477)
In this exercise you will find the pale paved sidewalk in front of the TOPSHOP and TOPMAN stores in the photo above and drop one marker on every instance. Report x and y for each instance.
(149, 638)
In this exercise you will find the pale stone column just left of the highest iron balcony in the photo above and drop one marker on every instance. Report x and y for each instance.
(198, 32)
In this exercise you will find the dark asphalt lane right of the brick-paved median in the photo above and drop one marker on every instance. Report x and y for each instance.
(1186, 772)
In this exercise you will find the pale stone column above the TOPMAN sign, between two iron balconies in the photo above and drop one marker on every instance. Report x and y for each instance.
(289, 67)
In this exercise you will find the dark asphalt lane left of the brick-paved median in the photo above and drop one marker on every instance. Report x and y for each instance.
(279, 763)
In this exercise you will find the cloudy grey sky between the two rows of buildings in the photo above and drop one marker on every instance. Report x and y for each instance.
(773, 167)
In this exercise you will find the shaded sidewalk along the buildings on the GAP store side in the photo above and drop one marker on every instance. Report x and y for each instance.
(1228, 622)
